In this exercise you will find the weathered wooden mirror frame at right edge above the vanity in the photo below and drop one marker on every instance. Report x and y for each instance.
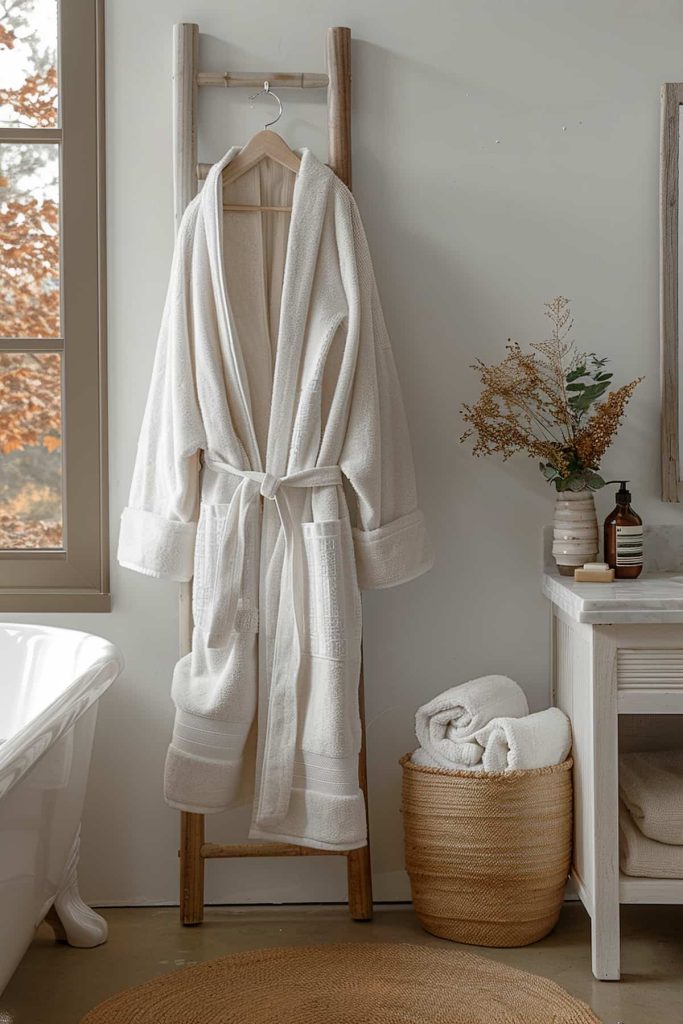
(672, 100)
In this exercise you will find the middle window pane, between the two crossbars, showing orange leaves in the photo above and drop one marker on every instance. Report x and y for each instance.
(30, 240)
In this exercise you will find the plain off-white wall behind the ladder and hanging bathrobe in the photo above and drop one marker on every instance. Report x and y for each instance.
(505, 152)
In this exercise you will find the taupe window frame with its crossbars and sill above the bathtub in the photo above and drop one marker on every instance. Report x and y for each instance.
(75, 578)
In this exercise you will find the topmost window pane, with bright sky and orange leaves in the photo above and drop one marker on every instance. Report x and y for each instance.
(29, 64)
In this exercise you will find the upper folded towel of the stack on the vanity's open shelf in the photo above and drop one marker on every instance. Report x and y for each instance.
(652, 787)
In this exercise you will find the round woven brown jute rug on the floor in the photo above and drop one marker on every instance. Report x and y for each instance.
(354, 984)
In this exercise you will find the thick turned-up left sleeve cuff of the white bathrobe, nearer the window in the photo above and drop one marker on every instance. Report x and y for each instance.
(157, 547)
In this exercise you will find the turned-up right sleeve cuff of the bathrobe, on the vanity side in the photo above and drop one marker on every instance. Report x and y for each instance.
(396, 553)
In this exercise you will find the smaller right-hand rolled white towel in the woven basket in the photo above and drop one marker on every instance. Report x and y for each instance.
(535, 742)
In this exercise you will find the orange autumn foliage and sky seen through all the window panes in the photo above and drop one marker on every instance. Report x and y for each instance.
(30, 382)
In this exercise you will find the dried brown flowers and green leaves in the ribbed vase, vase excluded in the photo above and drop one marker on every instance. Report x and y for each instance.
(547, 403)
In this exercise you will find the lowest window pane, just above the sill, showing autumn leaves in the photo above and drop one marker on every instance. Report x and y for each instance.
(31, 510)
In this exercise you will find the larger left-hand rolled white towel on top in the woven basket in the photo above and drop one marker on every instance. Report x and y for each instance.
(446, 728)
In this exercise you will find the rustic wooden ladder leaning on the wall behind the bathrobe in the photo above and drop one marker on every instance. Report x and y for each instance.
(187, 173)
